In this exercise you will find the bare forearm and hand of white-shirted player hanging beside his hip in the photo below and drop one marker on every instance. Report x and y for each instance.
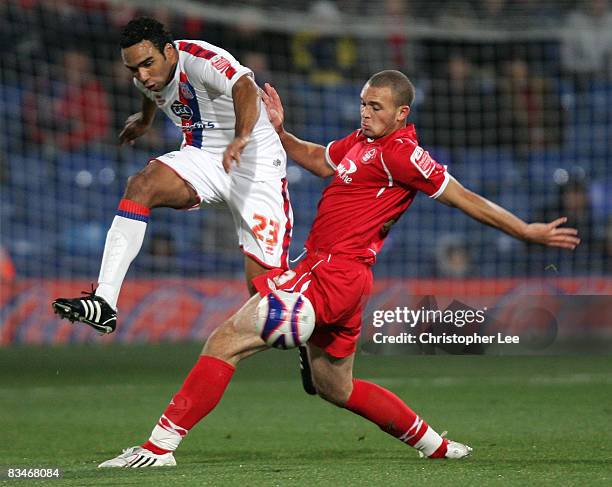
(245, 95)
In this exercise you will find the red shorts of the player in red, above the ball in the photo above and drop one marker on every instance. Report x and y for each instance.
(338, 289)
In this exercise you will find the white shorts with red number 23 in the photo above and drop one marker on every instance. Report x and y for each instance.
(261, 210)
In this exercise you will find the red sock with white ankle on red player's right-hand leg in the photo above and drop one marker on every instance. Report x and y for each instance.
(393, 416)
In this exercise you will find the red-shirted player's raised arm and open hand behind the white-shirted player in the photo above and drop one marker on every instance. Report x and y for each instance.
(307, 154)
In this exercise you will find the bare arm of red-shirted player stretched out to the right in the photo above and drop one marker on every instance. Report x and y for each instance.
(485, 211)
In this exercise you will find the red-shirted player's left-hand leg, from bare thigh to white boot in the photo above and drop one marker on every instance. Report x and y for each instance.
(202, 390)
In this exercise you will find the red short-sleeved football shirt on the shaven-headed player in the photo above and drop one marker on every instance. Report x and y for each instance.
(376, 180)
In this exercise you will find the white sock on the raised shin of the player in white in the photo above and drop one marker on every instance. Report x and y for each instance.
(123, 242)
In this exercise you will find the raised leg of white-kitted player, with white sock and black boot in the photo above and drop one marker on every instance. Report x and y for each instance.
(155, 186)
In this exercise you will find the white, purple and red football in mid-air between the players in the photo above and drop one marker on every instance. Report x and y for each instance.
(285, 320)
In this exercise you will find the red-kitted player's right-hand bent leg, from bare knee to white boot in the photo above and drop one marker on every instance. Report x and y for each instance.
(333, 379)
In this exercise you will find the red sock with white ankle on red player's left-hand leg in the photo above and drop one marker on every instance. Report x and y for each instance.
(198, 396)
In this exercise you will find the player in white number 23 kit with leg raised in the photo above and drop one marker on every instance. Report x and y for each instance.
(230, 154)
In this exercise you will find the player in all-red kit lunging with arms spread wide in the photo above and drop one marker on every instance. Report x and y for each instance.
(377, 171)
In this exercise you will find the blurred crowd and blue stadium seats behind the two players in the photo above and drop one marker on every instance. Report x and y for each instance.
(514, 96)
